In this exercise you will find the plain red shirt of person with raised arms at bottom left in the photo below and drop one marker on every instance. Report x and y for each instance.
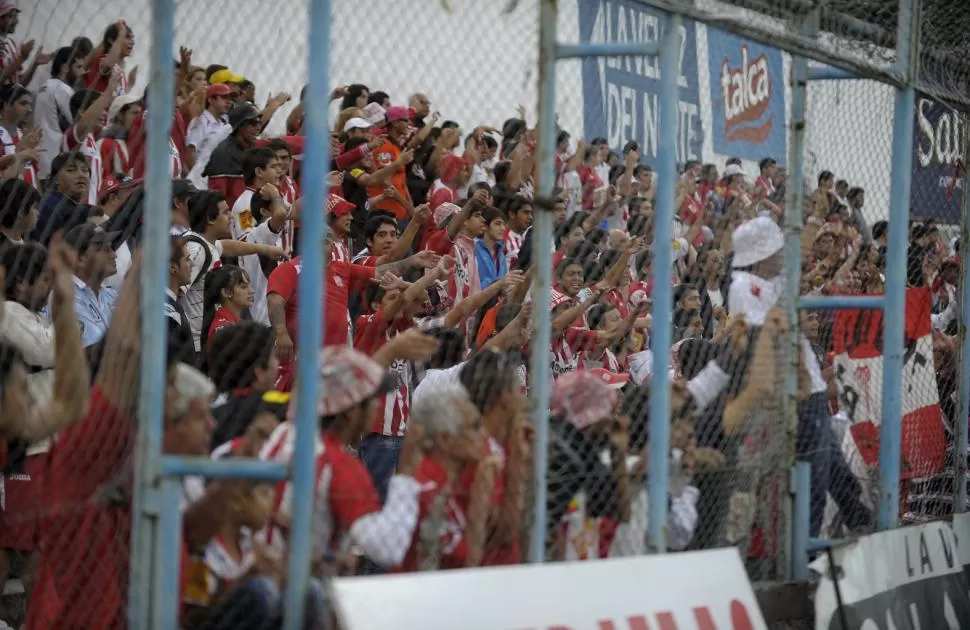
(82, 576)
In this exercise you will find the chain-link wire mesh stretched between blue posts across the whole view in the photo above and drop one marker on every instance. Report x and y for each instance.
(434, 170)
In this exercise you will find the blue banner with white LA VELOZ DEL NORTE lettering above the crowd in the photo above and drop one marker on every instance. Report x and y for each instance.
(621, 94)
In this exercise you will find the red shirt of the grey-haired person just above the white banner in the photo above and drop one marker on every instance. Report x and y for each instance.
(452, 548)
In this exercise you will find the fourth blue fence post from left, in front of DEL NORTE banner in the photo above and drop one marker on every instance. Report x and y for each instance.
(660, 338)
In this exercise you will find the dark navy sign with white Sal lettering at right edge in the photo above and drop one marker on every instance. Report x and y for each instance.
(938, 180)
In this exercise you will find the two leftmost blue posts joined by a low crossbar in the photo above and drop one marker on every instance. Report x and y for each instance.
(157, 526)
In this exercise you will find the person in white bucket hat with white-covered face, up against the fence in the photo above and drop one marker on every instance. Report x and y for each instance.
(757, 284)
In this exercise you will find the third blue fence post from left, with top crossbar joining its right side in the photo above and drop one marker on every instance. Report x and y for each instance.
(539, 368)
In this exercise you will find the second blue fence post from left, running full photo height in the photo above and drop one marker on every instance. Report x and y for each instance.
(309, 336)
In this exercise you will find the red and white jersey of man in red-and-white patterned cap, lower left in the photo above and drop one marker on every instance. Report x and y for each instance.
(344, 491)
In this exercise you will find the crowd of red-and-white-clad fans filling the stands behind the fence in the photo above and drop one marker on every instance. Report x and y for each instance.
(423, 454)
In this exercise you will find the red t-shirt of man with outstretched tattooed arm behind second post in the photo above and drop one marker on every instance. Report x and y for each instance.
(284, 282)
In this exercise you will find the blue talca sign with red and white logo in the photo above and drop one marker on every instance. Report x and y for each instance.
(747, 98)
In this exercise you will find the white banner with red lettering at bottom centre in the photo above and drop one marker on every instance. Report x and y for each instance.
(703, 590)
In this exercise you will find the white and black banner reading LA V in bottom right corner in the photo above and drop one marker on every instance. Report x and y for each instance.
(904, 579)
